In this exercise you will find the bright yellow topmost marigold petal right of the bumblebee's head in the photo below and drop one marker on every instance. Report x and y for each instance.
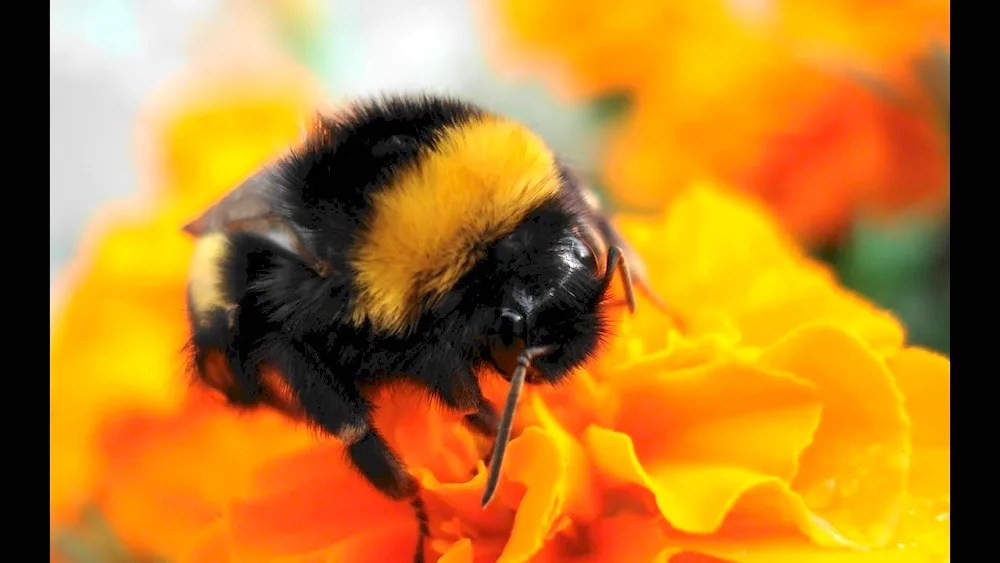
(719, 252)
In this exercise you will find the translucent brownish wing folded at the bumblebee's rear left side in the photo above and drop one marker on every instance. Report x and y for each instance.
(254, 206)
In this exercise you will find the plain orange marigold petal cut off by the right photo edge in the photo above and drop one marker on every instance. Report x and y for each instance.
(925, 381)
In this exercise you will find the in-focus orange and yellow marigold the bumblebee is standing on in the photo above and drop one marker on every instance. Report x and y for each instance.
(789, 422)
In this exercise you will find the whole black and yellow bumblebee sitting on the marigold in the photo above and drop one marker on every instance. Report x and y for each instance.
(409, 238)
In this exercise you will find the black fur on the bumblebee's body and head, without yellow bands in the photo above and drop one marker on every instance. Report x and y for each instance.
(291, 317)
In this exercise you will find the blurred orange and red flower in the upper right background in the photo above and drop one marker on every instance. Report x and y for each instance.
(769, 101)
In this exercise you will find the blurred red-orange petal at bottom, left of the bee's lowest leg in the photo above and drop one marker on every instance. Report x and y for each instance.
(309, 500)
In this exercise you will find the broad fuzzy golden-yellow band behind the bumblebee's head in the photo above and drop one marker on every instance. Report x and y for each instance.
(428, 226)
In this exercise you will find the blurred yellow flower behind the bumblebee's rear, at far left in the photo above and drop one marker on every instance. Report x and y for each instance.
(121, 325)
